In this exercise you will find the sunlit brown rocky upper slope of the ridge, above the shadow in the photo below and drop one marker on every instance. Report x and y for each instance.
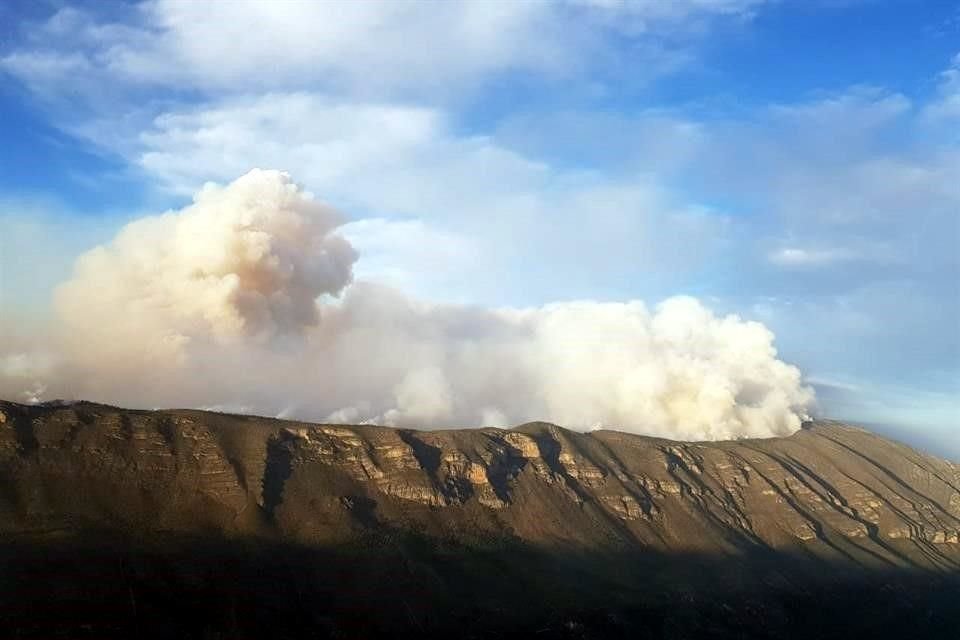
(830, 489)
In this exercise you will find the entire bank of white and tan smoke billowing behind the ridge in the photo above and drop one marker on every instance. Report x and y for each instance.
(244, 301)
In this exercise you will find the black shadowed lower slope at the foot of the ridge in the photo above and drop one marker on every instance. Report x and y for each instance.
(102, 586)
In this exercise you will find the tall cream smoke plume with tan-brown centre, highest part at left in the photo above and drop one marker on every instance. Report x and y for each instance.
(243, 263)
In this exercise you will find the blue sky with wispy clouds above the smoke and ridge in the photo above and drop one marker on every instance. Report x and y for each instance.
(794, 162)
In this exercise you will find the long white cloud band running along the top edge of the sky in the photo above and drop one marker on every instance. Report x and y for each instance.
(377, 47)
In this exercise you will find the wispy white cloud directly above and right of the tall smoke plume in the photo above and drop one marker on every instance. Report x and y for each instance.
(388, 160)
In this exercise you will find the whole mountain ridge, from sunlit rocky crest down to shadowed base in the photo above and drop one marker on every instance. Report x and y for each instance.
(125, 524)
